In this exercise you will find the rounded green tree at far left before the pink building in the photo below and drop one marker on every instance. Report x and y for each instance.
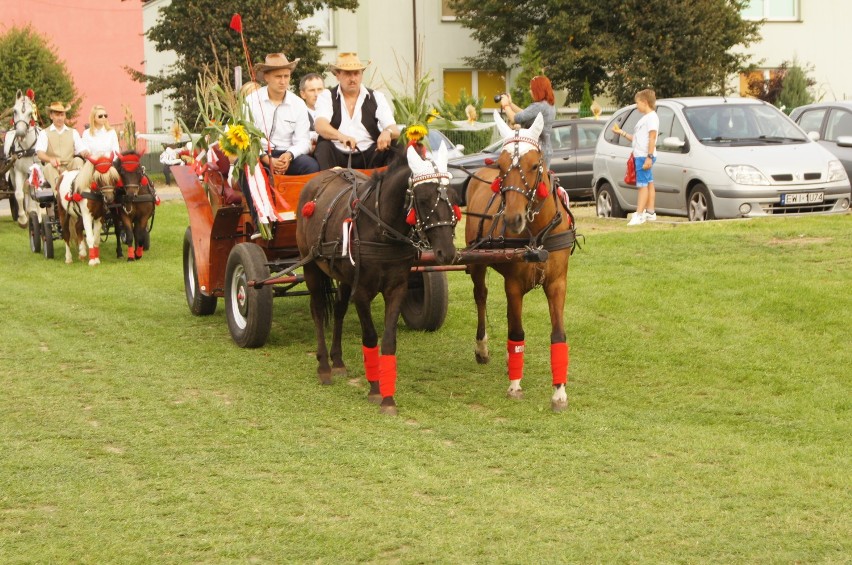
(28, 60)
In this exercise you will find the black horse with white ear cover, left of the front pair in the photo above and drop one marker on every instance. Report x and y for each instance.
(366, 234)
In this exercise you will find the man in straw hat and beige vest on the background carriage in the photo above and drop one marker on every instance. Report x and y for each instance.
(59, 147)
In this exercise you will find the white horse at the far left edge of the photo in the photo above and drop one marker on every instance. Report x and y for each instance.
(19, 145)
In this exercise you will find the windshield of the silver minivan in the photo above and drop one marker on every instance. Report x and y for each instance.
(742, 124)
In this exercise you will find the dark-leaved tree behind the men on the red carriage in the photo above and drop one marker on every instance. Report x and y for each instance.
(198, 32)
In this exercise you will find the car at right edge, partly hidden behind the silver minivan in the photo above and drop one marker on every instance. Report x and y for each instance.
(830, 124)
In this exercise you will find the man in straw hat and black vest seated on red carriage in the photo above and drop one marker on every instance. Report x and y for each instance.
(351, 116)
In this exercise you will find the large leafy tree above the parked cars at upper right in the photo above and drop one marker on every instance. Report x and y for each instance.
(677, 47)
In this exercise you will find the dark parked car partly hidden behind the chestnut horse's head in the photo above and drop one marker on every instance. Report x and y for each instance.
(573, 150)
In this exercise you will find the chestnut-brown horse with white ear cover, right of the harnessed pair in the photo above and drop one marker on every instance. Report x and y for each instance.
(517, 205)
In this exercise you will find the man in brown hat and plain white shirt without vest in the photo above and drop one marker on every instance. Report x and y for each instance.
(283, 118)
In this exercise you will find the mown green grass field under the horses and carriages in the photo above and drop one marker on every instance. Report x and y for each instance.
(708, 421)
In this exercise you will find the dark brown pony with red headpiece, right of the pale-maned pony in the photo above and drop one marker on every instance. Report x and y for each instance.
(136, 204)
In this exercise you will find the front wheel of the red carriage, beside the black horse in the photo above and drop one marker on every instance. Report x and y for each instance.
(249, 310)
